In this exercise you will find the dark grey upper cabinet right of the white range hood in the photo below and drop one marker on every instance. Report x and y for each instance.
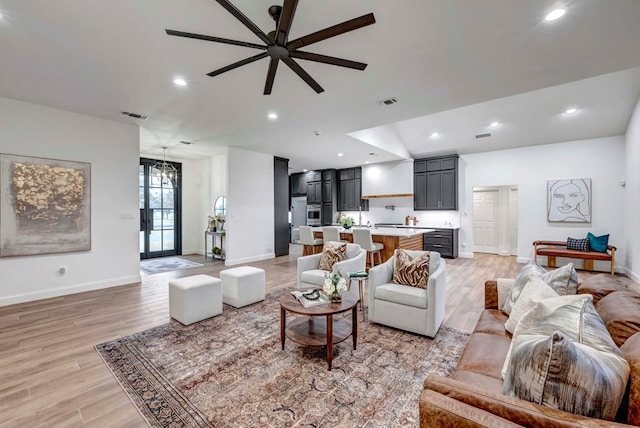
(435, 183)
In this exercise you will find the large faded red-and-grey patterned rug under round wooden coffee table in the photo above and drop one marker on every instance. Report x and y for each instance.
(230, 371)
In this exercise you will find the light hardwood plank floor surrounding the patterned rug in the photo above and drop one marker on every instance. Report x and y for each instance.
(50, 374)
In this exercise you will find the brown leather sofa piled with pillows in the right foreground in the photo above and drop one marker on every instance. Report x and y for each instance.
(472, 396)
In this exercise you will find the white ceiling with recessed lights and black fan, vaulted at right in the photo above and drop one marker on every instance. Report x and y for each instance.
(454, 66)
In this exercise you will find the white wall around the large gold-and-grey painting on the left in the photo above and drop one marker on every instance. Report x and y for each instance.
(112, 149)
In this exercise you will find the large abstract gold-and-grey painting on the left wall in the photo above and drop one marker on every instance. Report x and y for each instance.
(45, 206)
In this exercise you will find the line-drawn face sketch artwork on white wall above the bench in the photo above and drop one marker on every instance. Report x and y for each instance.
(569, 201)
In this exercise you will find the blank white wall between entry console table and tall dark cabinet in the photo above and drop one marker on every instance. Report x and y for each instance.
(250, 199)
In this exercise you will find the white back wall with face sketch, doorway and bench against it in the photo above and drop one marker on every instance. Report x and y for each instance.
(529, 168)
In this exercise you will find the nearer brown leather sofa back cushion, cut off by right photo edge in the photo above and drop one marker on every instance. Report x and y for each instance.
(620, 312)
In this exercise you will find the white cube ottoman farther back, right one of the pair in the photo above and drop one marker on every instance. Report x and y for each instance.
(242, 286)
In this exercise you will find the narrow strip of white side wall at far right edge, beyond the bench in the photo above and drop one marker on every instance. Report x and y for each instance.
(632, 201)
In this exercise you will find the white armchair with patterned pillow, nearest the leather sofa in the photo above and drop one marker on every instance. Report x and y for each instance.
(404, 307)
